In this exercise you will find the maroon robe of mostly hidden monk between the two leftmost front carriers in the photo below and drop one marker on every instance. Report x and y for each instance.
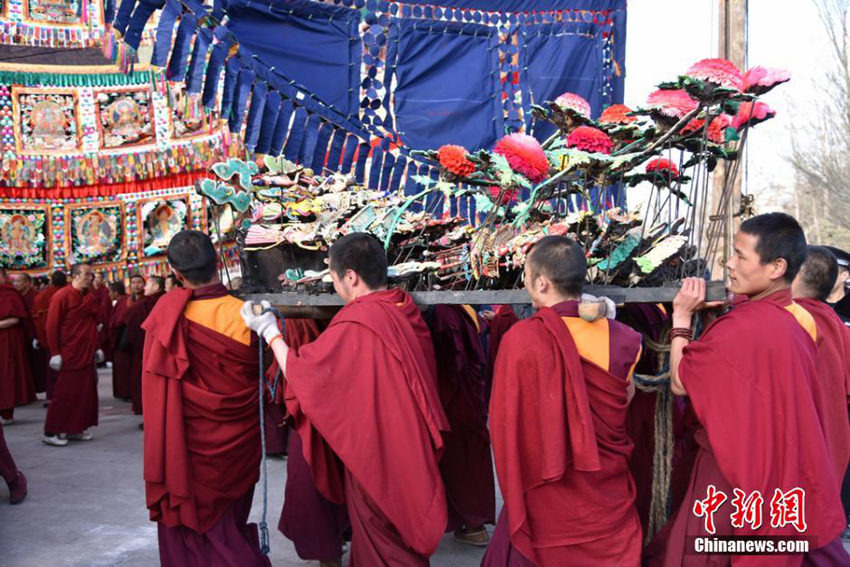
(314, 524)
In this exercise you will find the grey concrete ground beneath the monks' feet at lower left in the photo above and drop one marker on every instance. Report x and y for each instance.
(86, 501)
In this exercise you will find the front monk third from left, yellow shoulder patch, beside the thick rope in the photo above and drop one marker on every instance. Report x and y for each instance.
(557, 422)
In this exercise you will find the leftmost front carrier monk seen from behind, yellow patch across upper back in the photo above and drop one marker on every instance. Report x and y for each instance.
(202, 428)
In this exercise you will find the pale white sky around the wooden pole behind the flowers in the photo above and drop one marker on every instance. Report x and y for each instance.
(664, 37)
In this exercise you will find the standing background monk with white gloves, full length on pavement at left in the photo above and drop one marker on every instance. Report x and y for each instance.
(72, 321)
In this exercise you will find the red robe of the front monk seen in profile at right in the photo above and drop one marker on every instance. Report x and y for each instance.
(749, 379)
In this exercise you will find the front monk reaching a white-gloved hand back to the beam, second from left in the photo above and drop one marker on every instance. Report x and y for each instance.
(376, 355)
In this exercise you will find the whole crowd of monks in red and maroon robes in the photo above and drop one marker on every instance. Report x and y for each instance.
(397, 422)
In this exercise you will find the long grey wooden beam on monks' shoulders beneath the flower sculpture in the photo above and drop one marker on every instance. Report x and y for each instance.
(320, 305)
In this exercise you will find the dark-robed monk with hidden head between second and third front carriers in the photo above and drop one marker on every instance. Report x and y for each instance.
(466, 465)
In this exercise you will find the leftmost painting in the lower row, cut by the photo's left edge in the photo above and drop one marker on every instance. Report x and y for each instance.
(24, 237)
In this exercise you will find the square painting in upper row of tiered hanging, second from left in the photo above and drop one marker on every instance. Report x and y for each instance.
(125, 118)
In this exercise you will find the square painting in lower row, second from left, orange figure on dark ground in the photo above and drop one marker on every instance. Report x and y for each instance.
(95, 232)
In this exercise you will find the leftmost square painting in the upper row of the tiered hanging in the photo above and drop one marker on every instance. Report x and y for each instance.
(46, 121)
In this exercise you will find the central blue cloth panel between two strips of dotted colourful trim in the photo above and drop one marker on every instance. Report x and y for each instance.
(447, 84)
